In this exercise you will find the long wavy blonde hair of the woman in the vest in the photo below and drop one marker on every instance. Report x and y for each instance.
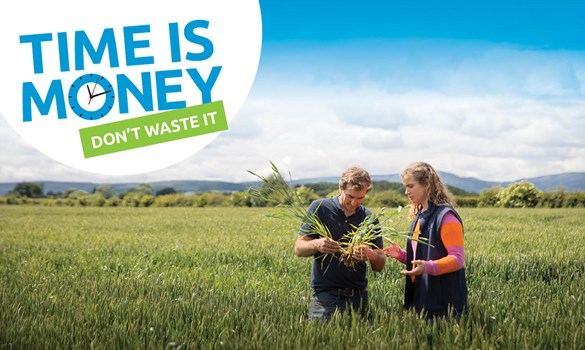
(425, 174)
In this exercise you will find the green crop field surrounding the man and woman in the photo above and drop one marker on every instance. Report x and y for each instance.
(212, 278)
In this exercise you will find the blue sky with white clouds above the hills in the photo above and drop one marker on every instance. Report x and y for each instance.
(487, 89)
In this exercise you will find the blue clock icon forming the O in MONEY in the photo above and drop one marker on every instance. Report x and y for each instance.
(91, 96)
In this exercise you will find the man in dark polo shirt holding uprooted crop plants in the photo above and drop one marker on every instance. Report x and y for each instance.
(336, 286)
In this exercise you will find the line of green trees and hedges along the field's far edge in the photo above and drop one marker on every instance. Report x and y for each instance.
(522, 194)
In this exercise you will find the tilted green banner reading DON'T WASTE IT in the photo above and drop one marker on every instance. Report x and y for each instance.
(153, 129)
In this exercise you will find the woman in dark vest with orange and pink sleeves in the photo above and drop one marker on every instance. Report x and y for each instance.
(434, 255)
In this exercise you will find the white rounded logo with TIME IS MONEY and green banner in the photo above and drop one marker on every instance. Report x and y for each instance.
(126, 87)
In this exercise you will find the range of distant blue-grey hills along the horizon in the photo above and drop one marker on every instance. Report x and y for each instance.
(572, 182)
